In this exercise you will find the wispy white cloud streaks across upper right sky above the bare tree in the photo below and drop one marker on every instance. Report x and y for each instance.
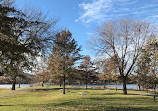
(102, 10)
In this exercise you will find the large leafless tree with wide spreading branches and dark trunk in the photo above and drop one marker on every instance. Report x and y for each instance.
(122, 40)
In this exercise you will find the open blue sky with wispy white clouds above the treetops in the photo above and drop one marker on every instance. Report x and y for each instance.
(82, 17)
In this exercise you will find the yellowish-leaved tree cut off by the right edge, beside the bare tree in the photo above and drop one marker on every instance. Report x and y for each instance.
(147, 66)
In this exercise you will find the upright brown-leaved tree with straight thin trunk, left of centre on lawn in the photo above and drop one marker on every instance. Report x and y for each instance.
(65, 53)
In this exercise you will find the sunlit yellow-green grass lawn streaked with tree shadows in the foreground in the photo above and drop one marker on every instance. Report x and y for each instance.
(77, 99)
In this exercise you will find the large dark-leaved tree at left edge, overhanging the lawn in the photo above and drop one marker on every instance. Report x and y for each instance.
(23, 36)
